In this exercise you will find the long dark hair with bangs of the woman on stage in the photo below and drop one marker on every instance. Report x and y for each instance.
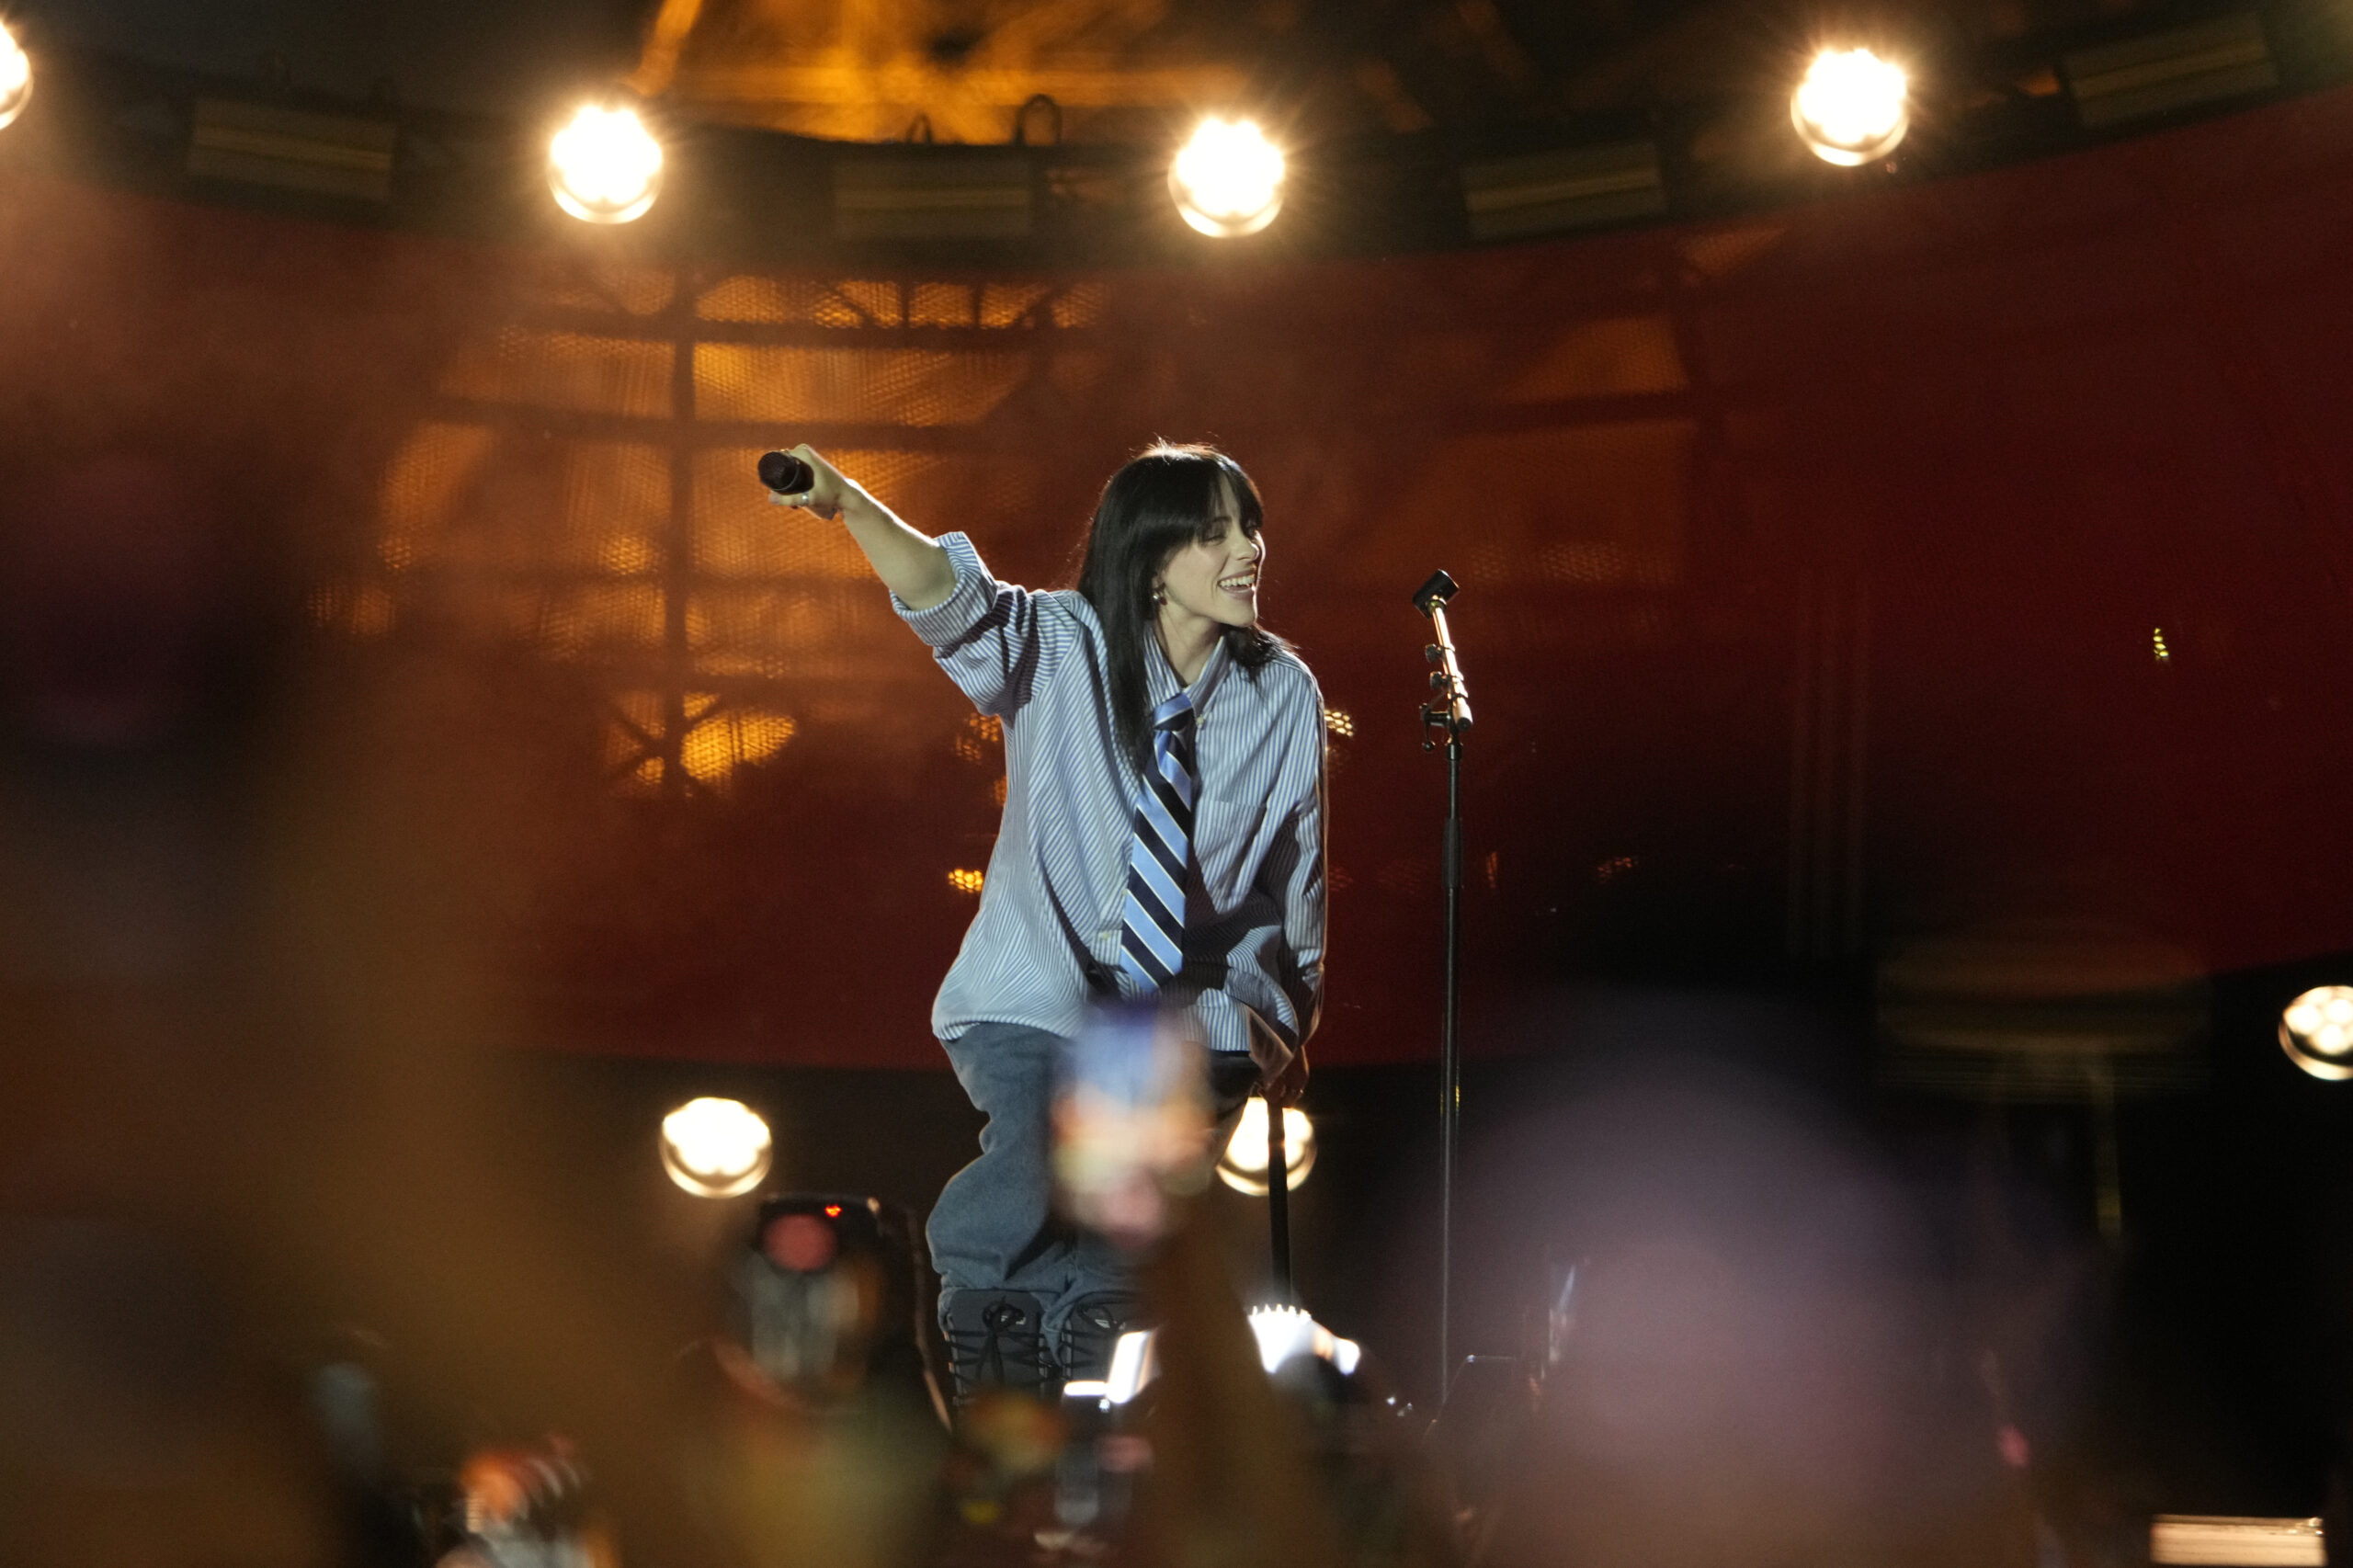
(1154, 507)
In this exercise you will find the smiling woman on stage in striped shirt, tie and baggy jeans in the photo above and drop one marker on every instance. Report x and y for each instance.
(1161, 839)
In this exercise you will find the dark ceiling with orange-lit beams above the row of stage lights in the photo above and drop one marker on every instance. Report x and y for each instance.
(1119, 69)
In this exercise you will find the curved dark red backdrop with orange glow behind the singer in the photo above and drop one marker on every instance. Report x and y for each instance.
(1832, 578)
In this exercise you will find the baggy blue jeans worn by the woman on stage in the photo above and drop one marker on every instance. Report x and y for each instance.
(994, 1225)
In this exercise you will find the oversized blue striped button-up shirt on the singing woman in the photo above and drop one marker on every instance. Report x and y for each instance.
(1048, 936)
